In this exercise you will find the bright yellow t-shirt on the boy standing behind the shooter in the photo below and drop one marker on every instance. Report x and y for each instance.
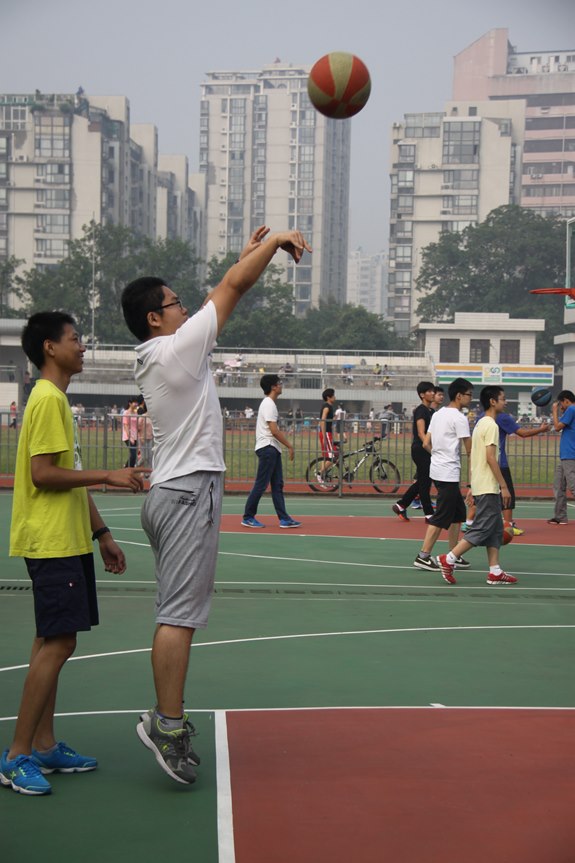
(48, 523)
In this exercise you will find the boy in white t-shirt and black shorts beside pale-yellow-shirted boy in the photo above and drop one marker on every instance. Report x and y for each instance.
(447, 430)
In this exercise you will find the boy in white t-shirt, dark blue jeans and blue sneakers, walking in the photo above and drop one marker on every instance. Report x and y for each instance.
(269, 438)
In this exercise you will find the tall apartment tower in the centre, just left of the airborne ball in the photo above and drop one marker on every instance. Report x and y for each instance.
(270, 157)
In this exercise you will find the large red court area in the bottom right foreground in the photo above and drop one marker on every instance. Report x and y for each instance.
(374, 785)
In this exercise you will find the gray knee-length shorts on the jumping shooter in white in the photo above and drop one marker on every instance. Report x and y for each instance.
(181, 518)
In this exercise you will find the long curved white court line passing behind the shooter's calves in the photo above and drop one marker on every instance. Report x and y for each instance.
(336, 634)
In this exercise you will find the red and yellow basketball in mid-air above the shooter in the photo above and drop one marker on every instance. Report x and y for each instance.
(339, 85)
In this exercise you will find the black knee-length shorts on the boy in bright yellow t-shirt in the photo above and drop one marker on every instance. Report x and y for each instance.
(64, 594)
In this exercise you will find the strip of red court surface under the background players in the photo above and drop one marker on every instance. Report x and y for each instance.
(539, 532)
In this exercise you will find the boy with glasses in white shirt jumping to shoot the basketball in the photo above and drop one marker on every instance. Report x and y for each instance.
(181, 514)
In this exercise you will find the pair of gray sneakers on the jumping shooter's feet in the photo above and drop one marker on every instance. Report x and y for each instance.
(172, 749)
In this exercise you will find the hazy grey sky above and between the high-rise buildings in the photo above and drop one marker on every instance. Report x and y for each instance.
(156, 54)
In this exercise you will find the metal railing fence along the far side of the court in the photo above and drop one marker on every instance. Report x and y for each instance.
(359, 459)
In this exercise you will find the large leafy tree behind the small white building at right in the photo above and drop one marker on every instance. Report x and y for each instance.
(492, 266)
